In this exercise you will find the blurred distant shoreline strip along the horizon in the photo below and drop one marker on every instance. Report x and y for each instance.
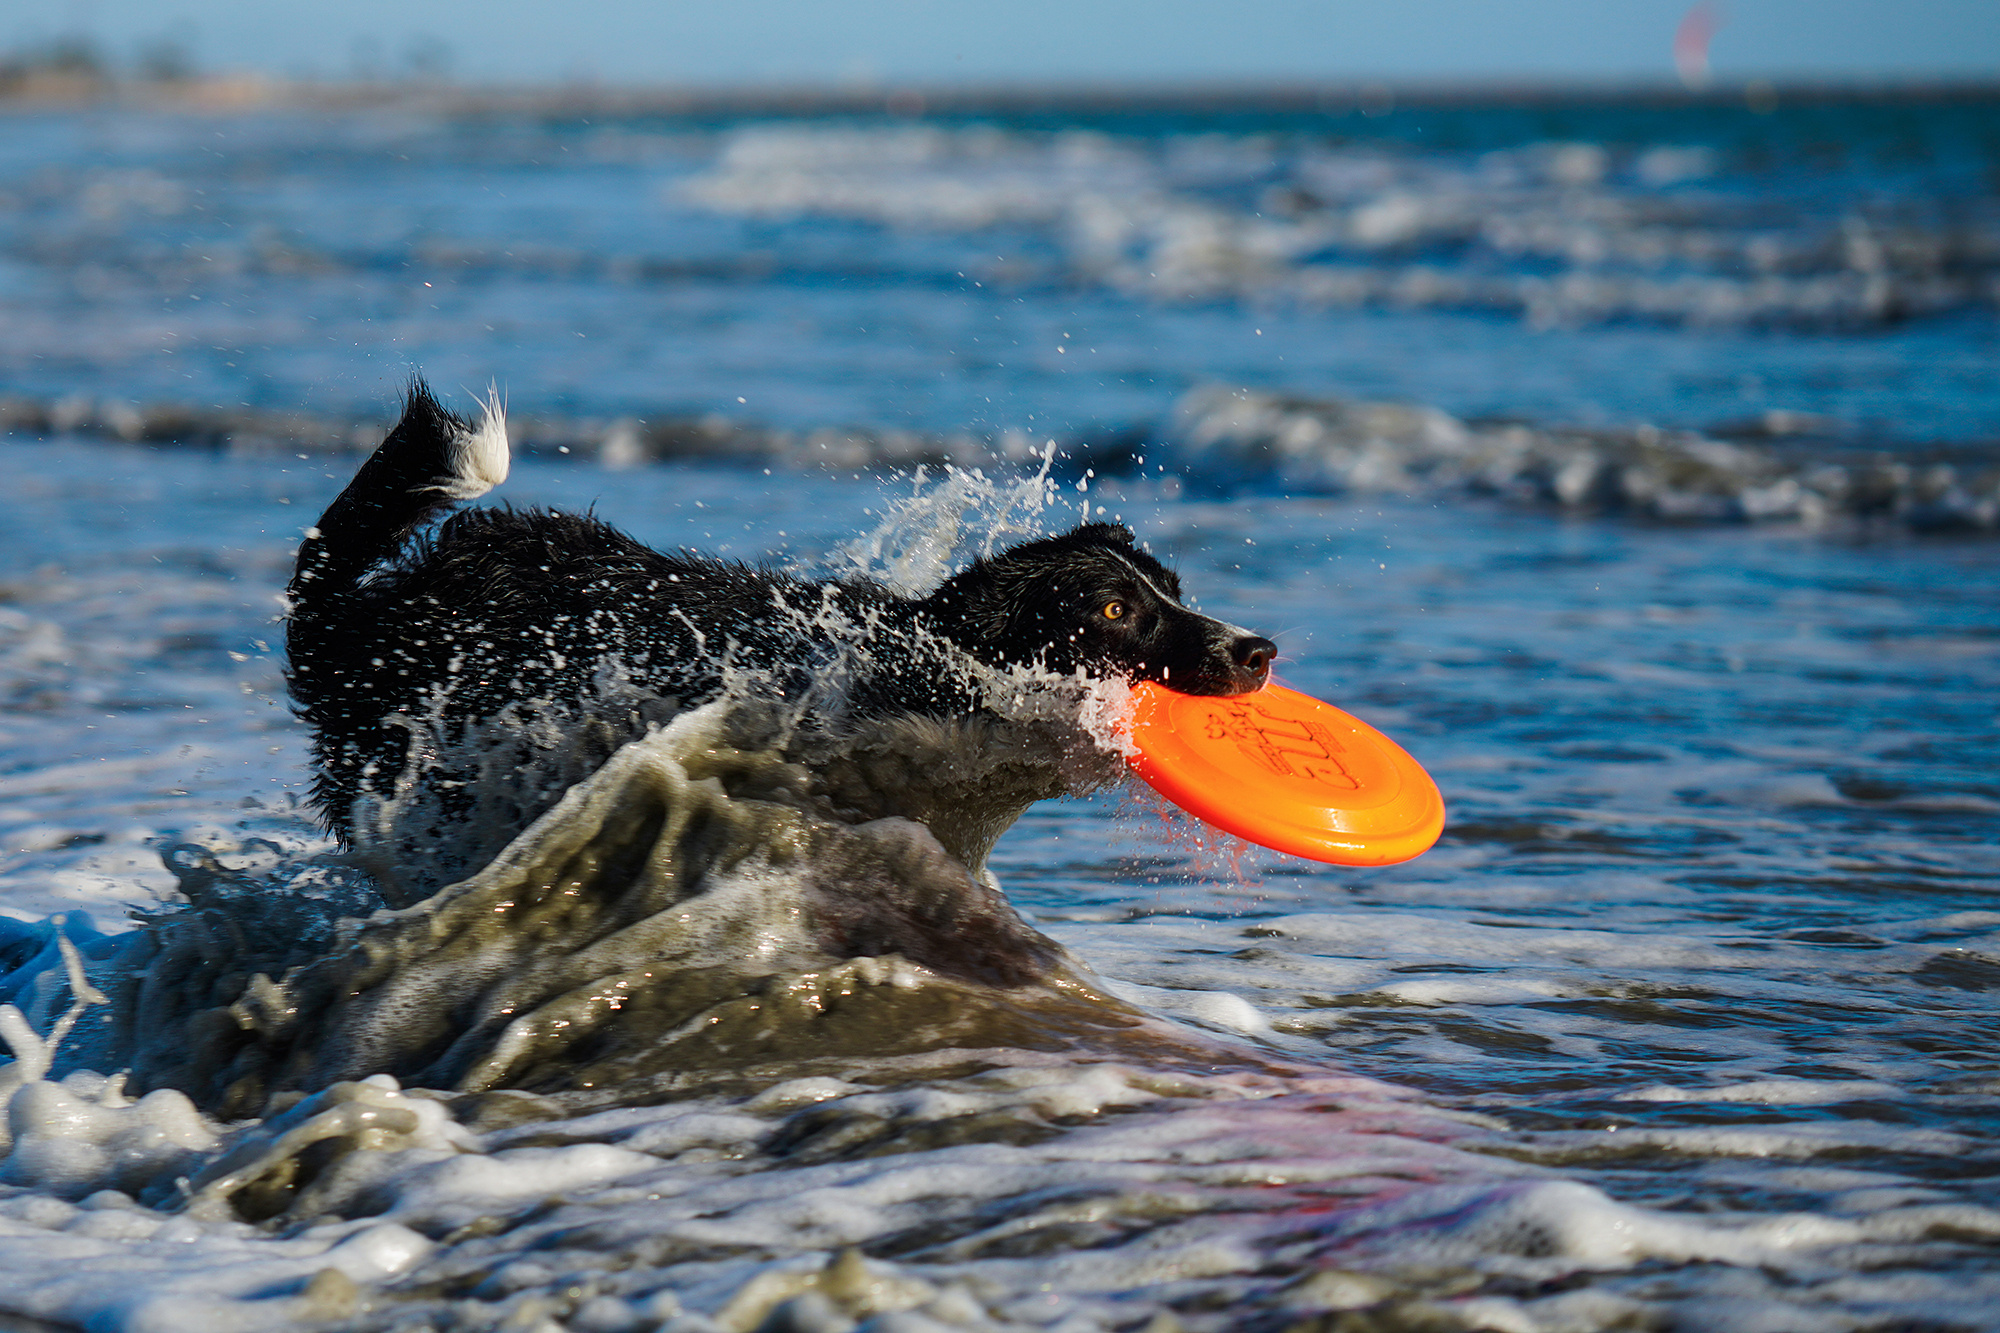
(61, 89)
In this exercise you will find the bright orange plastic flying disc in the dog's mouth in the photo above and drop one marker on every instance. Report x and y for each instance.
(1287, 772)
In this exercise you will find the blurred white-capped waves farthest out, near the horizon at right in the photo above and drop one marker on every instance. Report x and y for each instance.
(1557, 233)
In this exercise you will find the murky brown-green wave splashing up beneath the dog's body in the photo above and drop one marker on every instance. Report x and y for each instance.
(677, 922)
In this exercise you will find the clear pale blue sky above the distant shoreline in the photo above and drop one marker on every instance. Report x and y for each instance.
(985, 41)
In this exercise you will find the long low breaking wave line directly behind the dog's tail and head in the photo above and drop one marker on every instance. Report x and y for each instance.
(1773, 467)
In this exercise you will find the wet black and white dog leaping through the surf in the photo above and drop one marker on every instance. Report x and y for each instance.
(405, 643)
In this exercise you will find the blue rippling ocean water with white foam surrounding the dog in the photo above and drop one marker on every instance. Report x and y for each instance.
(1687, 1024)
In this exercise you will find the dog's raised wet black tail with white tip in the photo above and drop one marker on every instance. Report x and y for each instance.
(431, 461)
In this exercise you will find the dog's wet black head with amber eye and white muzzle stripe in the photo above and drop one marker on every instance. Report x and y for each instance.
(1093, 599)
